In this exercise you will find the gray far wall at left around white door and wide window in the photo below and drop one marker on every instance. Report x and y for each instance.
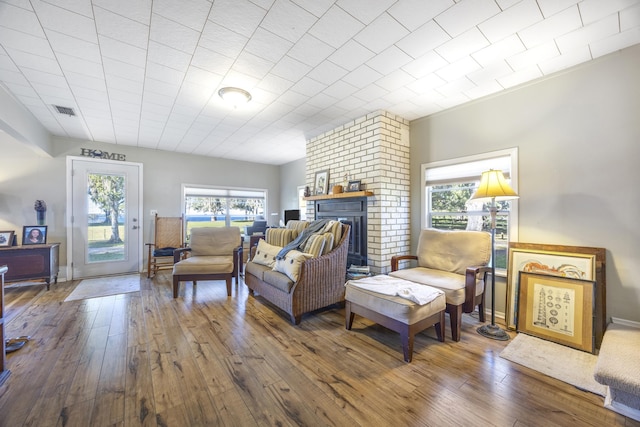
(27, 175)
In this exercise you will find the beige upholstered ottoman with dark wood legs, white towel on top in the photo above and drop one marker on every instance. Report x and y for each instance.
(400, 305)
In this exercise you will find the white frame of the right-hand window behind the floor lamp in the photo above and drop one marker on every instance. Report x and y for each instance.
(512, 153)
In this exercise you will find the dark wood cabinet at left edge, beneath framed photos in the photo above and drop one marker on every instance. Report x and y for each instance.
(31, 262)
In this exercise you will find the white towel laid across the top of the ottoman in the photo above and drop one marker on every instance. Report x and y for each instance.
(420, 294)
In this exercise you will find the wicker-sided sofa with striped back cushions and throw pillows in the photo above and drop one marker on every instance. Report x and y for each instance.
(303, 281)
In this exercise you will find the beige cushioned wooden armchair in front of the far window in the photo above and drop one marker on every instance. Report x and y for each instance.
(215, 254)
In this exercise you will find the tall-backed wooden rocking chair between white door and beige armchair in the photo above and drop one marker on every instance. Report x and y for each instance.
(168, 235)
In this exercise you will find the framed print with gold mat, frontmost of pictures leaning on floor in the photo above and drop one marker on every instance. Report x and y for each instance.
(557, 309)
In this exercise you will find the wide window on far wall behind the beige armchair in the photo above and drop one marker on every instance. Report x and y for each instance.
(221, 207)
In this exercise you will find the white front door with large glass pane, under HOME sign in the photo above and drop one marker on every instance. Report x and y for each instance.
(105, 217)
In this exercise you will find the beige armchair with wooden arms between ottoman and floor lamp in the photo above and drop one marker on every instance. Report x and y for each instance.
(455, 262)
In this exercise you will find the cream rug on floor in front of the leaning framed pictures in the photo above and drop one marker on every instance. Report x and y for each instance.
(557, 361)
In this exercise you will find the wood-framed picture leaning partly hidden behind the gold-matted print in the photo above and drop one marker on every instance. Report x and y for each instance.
(544, 259)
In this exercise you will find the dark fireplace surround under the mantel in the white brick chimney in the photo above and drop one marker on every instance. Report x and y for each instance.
(351, 211)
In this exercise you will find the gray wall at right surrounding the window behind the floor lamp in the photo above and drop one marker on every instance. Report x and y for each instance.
(578, 135)
